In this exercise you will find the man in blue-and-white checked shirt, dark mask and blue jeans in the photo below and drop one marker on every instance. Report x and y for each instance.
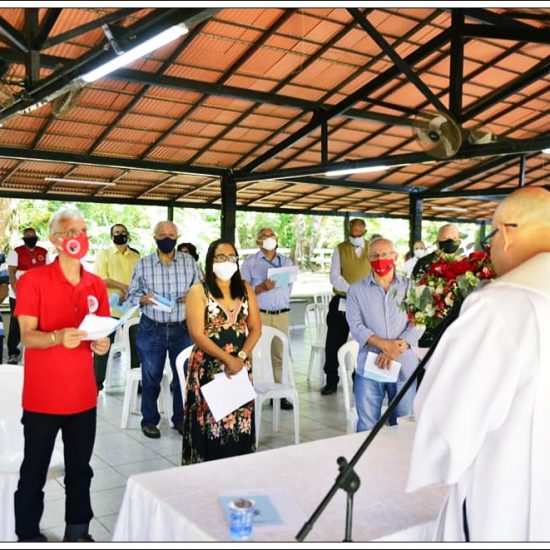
(159, 284)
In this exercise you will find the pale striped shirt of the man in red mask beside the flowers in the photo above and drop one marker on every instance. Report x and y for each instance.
(371, 311)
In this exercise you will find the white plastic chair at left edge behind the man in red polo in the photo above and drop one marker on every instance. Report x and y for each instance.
(12, 444)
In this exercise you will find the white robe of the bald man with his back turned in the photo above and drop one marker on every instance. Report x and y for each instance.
(483, 412)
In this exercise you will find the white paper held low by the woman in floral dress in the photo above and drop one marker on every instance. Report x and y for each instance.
(223, 395)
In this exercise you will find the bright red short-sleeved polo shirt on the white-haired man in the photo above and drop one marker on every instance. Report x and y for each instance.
(59, 380)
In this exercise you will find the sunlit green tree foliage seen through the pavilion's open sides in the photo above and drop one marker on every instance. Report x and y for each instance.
(302, 234)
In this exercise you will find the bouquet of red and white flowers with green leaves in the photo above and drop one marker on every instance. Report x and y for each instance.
(448, 279)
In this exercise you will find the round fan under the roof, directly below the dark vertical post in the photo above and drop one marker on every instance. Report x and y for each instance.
(437, 133)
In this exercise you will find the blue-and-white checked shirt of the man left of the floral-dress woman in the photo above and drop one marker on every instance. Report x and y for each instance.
(170, 281)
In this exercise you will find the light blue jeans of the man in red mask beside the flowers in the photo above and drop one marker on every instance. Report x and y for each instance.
(369, 396)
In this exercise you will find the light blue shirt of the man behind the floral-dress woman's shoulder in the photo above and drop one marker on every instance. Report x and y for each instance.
(254, 271)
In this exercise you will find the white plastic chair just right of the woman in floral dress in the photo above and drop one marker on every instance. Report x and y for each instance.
(265, 385)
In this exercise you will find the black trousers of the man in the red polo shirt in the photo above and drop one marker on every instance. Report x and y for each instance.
(40, 430)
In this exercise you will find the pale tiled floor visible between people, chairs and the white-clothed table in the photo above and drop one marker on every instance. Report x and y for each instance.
(121, 453)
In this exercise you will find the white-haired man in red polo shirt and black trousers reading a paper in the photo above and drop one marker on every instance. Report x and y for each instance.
(59, 389)
